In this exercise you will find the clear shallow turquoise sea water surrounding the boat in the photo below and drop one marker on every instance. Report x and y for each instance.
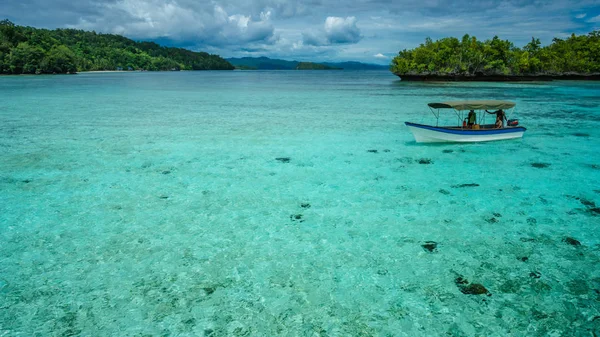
(154, 204)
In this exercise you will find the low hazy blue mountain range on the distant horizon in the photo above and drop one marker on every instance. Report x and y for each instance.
(265, 63)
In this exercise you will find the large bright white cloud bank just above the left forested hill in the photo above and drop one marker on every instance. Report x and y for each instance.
(209, 24)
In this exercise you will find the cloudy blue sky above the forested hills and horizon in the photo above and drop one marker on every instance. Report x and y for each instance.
(370, 31)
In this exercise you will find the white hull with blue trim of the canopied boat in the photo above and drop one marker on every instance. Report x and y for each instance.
(433, 134)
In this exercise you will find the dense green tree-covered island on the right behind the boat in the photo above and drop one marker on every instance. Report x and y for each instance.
(450, 58)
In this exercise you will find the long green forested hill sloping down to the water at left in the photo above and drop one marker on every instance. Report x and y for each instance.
(27, 50)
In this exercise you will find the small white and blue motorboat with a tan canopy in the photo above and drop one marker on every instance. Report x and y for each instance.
(478, 131)
